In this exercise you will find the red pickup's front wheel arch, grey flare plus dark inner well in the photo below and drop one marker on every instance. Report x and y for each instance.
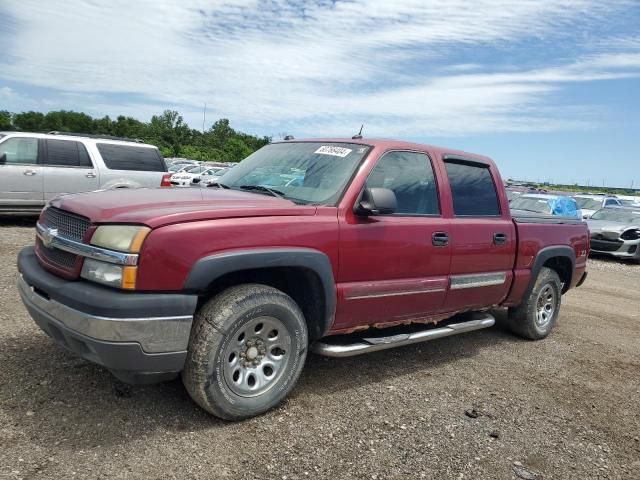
(304, 274)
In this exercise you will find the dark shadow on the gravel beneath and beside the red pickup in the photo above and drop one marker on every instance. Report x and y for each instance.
(58, 398)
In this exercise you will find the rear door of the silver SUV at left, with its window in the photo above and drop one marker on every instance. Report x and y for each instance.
(67, 168)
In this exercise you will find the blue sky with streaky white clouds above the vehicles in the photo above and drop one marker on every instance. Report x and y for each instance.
(549, 89)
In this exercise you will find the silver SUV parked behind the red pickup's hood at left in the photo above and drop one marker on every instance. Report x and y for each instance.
(36, 167)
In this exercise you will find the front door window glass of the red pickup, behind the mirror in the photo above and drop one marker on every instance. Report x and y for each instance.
(410, 176)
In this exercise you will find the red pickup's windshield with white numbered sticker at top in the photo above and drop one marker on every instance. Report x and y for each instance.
(303, 172)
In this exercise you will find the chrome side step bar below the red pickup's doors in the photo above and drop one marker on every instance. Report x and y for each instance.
(366, 345)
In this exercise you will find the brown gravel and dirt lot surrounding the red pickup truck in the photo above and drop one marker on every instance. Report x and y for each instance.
(566, 407)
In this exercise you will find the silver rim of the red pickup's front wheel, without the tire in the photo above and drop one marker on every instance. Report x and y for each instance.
(255, 357)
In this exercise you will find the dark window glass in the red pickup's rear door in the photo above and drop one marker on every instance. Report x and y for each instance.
(474, 193)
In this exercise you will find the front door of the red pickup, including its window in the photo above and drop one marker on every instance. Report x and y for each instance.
(390, 269)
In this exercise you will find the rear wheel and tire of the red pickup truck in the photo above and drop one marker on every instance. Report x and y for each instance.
(524, 320)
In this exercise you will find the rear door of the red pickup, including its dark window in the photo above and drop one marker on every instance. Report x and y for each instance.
(483, 240)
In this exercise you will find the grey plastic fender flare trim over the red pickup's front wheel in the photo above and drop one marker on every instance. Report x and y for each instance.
(208, 269)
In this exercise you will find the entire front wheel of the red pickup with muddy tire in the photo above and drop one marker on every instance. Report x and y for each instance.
(218, 324)
